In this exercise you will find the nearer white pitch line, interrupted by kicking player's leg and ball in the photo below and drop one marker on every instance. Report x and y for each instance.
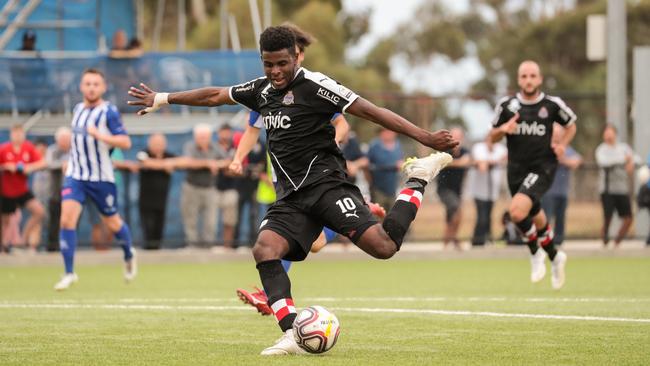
(383, 311)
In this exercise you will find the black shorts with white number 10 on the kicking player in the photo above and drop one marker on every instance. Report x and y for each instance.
(300, 217)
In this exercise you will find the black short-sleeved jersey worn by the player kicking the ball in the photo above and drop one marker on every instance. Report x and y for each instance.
(300, 136)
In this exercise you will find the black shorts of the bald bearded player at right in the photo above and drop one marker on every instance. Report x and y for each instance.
(532, 180)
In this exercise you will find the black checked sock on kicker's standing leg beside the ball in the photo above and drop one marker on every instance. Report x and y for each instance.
(278, 290)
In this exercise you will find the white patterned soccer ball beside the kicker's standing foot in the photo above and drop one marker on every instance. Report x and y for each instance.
(316, 329)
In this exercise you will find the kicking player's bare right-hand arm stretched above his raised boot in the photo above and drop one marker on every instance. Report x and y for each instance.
(439, 140)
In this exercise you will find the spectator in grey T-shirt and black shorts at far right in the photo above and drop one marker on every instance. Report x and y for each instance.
(616, 164)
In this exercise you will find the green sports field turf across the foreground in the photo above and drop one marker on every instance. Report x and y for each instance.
(399, 312)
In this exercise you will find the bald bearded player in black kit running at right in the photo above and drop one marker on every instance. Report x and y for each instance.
(527, 122)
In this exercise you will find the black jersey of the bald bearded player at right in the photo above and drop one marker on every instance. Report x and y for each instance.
(531, 142)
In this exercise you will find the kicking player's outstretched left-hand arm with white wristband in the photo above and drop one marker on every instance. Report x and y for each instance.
(202, 97)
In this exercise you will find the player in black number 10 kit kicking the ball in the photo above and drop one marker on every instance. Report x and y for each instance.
(312, 189)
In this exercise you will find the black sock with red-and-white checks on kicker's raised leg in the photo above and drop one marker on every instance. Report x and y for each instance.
(403, 212)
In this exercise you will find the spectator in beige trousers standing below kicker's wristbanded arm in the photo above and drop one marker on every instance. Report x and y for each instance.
(198, 193)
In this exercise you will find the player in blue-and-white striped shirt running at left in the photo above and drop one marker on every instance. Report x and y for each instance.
(97, 128)
